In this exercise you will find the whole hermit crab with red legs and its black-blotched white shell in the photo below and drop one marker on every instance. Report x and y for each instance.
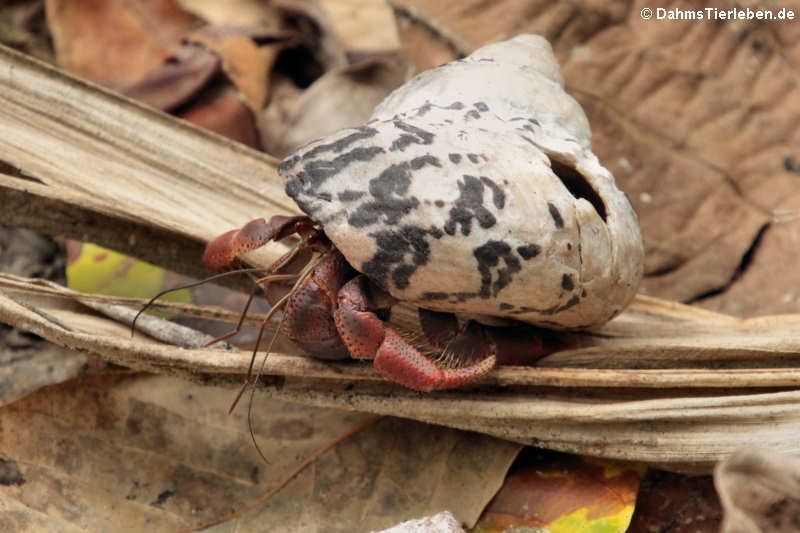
(471, 193)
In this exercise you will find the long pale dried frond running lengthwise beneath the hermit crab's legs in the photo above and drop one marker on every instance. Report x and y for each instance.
(668, 417)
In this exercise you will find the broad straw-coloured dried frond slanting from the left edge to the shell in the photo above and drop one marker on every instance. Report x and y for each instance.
(169, 212)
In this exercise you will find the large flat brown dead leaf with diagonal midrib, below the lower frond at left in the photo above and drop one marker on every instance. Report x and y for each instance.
(158, 454)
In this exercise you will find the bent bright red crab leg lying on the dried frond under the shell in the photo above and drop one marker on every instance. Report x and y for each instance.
(366, 336)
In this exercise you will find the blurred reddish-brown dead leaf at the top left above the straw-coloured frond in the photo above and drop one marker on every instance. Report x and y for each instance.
(116, 42)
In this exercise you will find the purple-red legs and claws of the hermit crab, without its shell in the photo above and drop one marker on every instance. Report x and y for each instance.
(332, 312)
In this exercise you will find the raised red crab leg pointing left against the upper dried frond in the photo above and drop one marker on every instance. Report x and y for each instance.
(222, 251)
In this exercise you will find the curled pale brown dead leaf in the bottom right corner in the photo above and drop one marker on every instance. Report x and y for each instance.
(760, 492)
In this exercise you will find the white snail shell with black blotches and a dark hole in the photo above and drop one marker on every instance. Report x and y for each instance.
(473, 189)
